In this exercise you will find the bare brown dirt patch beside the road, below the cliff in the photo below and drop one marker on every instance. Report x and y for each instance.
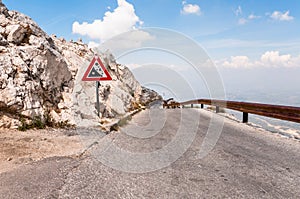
(18, 148)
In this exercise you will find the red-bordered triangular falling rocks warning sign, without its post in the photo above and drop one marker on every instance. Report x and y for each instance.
(96, 71)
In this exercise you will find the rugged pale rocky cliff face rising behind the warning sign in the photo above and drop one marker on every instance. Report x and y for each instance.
(42, 74)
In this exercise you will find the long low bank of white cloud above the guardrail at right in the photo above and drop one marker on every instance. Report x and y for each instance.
(268, 59)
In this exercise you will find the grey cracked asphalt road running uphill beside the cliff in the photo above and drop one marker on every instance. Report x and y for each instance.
(244, 163)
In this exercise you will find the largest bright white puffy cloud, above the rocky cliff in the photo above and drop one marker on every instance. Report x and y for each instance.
(121, 19)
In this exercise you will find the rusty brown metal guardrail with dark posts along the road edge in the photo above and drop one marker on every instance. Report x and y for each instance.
(288, 113)
